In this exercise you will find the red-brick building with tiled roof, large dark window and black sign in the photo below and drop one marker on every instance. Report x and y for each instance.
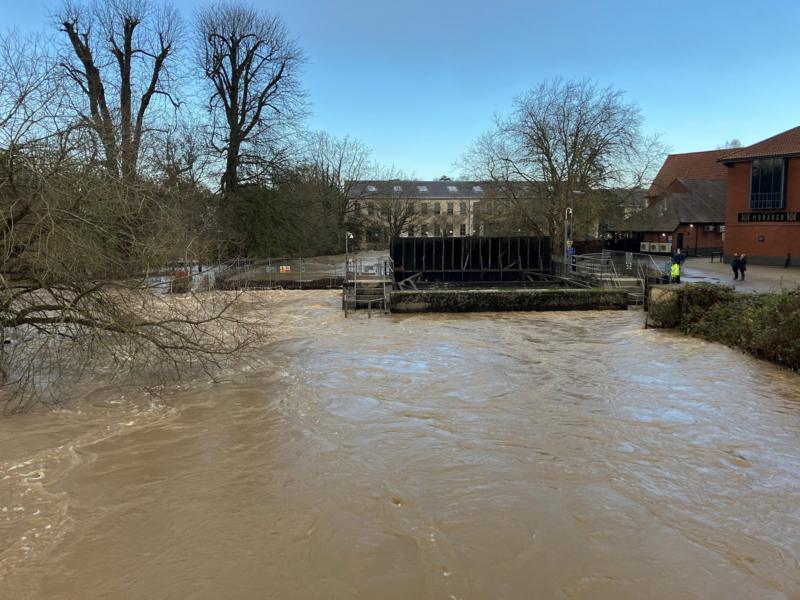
(762, 215)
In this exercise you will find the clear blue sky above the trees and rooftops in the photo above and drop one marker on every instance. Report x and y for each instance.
(418, 80)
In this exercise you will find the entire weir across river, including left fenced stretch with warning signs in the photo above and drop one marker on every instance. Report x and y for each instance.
(457, 274)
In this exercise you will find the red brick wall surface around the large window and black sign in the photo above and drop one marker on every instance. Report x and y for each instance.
(764, 243)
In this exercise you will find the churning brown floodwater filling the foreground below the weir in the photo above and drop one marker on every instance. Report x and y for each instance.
(549, 455)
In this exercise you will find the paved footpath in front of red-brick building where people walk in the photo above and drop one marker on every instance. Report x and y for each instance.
(759, 278)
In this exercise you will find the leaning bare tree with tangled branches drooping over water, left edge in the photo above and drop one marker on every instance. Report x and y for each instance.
(82, 256)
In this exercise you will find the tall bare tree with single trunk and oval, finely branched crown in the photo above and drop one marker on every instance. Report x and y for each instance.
(252, 66)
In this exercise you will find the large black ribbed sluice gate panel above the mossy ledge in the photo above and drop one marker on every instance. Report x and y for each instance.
(469, 259)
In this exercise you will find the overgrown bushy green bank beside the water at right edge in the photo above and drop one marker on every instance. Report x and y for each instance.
(764, 325)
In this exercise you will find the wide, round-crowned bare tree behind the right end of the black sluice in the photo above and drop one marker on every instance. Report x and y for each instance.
(563, 139)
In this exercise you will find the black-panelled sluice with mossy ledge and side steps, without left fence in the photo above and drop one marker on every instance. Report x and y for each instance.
(471, 274)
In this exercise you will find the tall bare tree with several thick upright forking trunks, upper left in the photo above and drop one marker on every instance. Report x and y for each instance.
(118, 57)
